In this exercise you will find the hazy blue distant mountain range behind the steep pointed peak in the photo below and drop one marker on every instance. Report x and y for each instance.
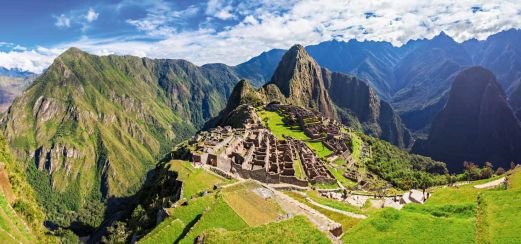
(416, 77)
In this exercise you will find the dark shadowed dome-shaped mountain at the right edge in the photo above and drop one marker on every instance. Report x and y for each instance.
(477, 124)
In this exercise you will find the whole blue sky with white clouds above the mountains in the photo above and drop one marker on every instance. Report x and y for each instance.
(34, 32)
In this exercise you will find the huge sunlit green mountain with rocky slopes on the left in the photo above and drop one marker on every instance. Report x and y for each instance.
(90, 127)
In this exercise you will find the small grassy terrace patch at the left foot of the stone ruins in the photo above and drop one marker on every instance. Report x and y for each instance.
(194, 180)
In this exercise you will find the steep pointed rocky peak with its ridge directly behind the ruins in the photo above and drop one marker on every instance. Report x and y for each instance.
(300, 81)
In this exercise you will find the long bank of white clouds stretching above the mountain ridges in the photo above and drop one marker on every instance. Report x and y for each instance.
(267, 24)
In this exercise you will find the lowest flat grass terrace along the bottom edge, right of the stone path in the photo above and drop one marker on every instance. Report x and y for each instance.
(393, 226)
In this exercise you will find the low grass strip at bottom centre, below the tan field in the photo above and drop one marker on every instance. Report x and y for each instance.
(295, 230)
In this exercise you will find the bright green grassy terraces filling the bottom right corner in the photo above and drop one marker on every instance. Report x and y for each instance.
(451, 215)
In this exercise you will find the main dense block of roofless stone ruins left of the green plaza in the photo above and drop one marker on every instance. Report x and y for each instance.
(251, 153)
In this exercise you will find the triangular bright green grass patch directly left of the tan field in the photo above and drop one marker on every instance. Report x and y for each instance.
(219, 216)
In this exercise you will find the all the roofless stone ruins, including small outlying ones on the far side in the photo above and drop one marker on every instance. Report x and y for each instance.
(253, 152)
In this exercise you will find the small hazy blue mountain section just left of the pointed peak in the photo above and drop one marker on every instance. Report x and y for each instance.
(260, 69)
